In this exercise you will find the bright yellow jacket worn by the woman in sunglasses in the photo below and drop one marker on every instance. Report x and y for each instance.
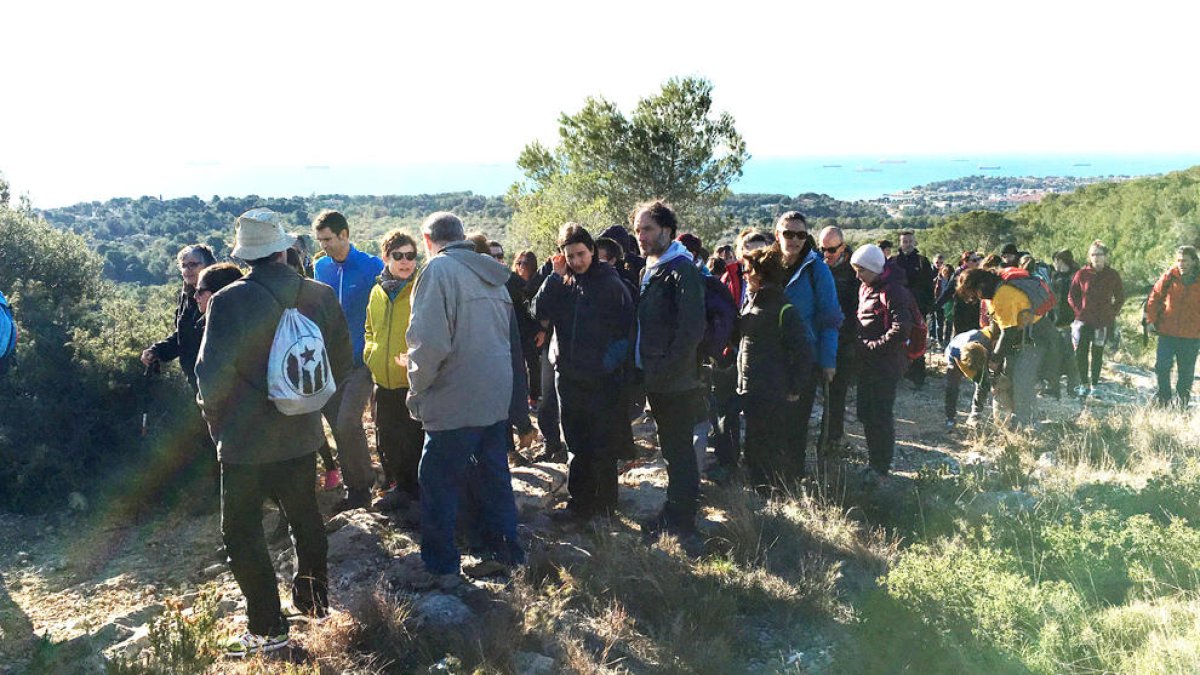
(385, 334)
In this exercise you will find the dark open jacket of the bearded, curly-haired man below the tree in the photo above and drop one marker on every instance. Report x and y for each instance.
(671, 324)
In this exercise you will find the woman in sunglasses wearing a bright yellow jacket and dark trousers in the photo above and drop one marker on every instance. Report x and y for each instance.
(399, 438)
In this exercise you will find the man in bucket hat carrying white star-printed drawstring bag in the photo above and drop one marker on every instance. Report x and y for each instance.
(265, 452)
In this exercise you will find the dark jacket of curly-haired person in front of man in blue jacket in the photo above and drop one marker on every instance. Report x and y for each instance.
(775, 357)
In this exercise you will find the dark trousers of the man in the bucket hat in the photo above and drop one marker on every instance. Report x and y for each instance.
(243, 489)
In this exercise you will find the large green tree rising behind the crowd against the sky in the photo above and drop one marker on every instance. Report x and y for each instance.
(671, 147)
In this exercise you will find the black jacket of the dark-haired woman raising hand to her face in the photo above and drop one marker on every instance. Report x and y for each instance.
(593, 319)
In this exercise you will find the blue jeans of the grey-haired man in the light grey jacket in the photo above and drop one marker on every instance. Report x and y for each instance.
(446, 463)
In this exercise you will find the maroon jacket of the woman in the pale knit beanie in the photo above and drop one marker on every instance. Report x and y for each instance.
(885, 322)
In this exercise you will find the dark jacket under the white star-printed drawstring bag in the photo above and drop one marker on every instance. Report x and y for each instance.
(232, 367)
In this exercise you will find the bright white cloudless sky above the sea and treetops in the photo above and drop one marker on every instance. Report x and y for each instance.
(124, 99)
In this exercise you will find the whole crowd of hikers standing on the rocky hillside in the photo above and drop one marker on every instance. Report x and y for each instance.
(452, 351)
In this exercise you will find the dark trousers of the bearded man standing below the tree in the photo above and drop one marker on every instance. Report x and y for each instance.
(675, 414)
